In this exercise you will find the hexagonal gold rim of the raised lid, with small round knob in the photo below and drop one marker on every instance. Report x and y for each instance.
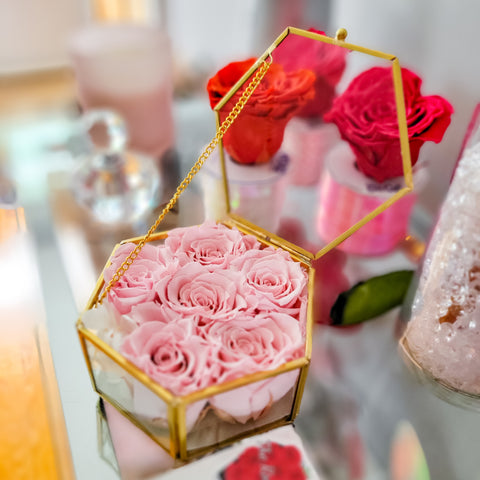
(339, 41)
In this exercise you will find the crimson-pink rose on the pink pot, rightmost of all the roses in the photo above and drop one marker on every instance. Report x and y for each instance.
(366, 117)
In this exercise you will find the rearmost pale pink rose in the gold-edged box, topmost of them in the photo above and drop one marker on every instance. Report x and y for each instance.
(209, 243)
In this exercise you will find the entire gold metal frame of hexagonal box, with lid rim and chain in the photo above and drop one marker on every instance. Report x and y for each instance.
(176, 405)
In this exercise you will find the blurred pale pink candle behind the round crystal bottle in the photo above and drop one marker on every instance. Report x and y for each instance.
(127, 68)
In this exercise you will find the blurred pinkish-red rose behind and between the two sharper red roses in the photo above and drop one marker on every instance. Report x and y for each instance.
(325, 60)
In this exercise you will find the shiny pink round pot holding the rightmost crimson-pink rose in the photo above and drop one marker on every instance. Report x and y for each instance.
(347, 196)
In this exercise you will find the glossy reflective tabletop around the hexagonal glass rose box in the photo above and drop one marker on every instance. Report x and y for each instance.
(358, 394)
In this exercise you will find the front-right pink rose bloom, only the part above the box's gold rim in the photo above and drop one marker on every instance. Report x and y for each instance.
(251, 345)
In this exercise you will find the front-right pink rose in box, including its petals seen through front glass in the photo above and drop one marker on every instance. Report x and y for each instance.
(246, 347)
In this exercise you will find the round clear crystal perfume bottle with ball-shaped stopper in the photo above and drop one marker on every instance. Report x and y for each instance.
(115, 185)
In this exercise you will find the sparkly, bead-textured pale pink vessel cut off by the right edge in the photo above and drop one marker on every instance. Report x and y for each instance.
(444, 332)
